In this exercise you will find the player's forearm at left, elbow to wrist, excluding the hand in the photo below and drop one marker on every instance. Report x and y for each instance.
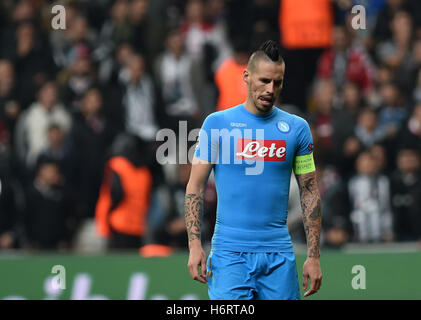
(193, 207)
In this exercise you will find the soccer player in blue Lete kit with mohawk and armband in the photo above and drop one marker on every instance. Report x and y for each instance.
(252, 149)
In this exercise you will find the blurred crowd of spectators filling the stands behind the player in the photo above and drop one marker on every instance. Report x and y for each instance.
(80, 109)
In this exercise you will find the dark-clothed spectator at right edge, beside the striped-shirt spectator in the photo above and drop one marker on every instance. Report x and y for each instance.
(406, 196)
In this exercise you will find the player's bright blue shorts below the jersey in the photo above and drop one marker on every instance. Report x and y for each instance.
(252, 275)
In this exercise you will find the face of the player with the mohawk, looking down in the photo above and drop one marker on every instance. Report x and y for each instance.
(264, 84)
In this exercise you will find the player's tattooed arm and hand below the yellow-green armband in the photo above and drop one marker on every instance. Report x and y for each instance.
(312, 220)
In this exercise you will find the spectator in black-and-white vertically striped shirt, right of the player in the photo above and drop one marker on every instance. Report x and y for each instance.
(369, 194)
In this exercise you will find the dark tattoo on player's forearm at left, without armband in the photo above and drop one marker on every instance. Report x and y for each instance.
(193, 207)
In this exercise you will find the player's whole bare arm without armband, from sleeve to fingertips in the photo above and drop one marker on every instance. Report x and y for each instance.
(193, 212)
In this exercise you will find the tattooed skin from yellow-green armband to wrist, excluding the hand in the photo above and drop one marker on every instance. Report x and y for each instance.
(312, 212)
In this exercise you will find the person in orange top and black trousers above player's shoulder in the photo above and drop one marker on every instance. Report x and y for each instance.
(302, 52)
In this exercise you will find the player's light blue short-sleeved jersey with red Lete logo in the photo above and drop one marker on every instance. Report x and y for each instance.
(252, 159)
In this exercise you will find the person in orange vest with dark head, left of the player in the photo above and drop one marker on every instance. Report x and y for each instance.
(125, 197)
